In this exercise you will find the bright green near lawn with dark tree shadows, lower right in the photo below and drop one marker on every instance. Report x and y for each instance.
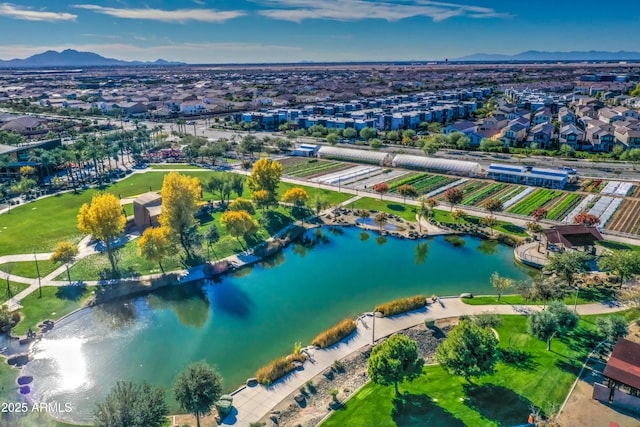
(542, 378)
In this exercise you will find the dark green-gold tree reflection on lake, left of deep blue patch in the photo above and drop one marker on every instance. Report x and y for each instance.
(188, 302)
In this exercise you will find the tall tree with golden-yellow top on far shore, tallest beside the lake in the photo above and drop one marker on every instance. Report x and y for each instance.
(180, 197)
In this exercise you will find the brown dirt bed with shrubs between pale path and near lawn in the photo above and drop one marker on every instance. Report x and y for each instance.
(347, 378)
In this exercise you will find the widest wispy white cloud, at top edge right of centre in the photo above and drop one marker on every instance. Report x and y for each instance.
(355, 10)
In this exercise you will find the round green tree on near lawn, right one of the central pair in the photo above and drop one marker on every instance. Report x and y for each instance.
(469, 351)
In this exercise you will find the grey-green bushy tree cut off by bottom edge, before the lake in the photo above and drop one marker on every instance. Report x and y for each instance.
(132, 405)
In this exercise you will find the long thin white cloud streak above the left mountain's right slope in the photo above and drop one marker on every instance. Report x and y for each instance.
(178, 15)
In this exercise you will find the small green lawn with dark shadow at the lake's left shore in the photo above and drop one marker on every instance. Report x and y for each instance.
(55, 303)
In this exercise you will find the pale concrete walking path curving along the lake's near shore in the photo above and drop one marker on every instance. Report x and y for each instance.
(252, 403)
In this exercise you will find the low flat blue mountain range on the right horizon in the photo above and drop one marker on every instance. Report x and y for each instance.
(536, 55)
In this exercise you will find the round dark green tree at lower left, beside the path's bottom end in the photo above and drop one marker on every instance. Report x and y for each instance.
(197, 388)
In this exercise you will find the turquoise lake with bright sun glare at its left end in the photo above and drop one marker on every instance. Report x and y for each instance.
(247, 319)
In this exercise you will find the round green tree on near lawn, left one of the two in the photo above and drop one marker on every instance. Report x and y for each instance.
(395, 360)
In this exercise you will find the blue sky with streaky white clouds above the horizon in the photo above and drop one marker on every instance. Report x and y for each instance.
(224, 31)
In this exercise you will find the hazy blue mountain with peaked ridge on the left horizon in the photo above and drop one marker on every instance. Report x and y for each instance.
(74, 58)
